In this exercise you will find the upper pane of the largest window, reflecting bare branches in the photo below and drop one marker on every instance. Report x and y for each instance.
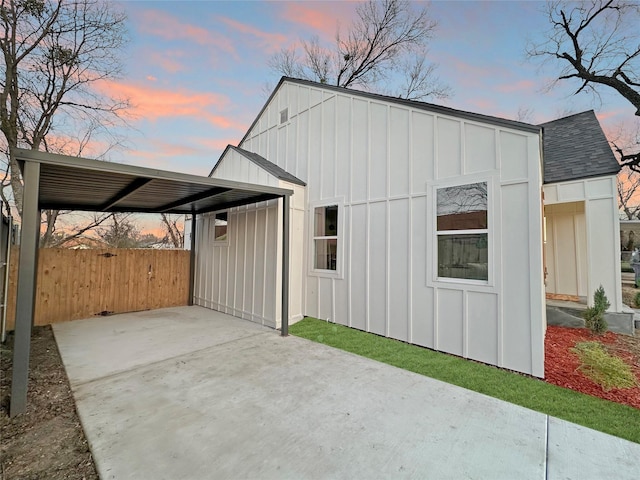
(463, 207)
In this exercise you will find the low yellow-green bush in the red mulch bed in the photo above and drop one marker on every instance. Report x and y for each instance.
(606, 370)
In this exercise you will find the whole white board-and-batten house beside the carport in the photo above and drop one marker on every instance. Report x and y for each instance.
(408, 220)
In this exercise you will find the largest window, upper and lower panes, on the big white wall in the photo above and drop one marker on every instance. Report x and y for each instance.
(462, 232)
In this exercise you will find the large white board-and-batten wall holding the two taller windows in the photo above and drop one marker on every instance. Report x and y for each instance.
(382, 163)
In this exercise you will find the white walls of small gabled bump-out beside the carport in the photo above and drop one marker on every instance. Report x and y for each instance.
(242, 276)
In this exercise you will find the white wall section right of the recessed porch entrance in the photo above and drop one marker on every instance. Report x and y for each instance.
(602, 231)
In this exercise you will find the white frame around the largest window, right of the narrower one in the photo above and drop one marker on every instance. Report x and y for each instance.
(490, 231)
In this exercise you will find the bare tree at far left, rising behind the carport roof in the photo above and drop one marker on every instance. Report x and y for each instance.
(54, 53)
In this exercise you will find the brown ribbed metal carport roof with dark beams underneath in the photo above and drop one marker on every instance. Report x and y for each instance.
(72, 183)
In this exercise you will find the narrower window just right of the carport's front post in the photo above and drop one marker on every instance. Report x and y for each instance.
(325, 238)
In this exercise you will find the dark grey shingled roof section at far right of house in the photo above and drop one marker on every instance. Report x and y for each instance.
(575, 147)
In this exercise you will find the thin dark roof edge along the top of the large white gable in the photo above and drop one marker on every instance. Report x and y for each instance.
(430, 107)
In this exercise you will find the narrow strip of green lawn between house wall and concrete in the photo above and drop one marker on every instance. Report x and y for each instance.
(613, 418)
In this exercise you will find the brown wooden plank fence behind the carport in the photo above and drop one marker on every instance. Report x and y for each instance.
(75, 284)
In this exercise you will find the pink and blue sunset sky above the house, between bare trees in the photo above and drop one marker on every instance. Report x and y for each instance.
(196, 70)
